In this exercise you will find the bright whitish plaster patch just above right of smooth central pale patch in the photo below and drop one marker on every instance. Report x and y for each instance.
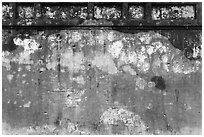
(115, 48)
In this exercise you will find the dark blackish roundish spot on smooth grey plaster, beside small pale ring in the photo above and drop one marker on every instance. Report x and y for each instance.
(159, 82)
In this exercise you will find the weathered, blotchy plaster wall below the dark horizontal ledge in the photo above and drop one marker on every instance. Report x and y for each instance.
(101, 81)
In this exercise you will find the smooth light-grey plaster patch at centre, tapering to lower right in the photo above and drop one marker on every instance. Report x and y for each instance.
(105, 63)
